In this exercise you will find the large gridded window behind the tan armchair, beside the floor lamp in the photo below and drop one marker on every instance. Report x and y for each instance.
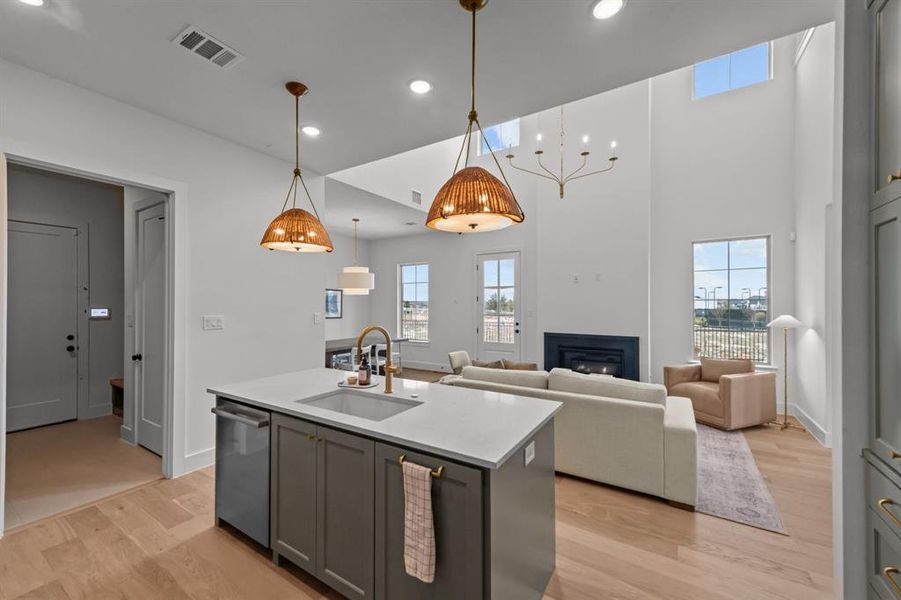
(731, 299)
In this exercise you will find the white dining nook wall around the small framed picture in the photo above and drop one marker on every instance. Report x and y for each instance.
(356, 308)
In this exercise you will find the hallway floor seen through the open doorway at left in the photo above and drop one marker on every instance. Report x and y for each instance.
(59, 467)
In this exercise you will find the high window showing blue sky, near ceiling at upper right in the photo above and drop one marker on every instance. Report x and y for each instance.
(732, 71)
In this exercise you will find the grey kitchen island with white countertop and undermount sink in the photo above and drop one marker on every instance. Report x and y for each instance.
(334, 486)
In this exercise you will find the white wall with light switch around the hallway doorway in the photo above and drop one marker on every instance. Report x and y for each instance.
(229, 194)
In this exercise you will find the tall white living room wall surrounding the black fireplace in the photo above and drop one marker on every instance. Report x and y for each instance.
(689, 170)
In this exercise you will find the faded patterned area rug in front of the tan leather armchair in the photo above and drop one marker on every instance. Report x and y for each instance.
(730, 485)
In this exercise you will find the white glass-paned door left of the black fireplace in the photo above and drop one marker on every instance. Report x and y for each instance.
(499, 306)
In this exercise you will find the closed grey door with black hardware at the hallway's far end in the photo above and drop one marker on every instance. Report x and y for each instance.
(42, 349)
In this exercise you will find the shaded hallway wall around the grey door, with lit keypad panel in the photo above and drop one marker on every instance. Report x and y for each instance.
(95, 209)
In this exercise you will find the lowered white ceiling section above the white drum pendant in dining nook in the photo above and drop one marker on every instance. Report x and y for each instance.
(380, 217)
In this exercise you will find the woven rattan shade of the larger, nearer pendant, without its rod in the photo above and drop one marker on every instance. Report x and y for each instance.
(473, 200)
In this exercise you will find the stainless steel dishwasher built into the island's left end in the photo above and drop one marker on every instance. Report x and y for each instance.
(242, 468)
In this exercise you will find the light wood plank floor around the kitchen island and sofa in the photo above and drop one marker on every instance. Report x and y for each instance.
(160, 542)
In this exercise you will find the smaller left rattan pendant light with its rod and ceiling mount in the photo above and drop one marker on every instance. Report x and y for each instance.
(294, 229)
